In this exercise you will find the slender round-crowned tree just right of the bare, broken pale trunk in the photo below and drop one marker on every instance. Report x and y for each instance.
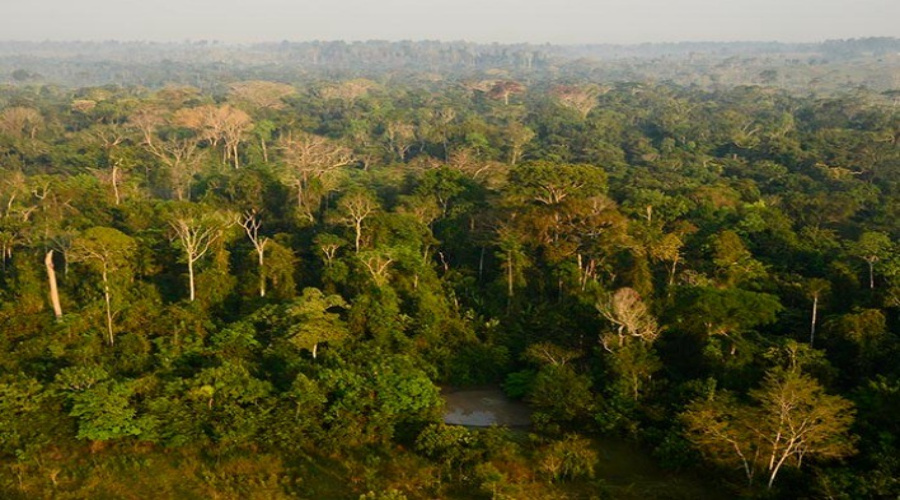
(109, 251)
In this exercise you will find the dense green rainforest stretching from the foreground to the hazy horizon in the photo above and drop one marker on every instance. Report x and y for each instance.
(234, 285)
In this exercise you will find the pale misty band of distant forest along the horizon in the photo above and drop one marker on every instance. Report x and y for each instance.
(821, 67)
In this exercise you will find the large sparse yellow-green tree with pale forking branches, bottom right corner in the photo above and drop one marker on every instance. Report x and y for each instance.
(791, 418)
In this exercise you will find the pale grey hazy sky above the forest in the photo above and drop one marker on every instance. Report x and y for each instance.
(559, 21)
